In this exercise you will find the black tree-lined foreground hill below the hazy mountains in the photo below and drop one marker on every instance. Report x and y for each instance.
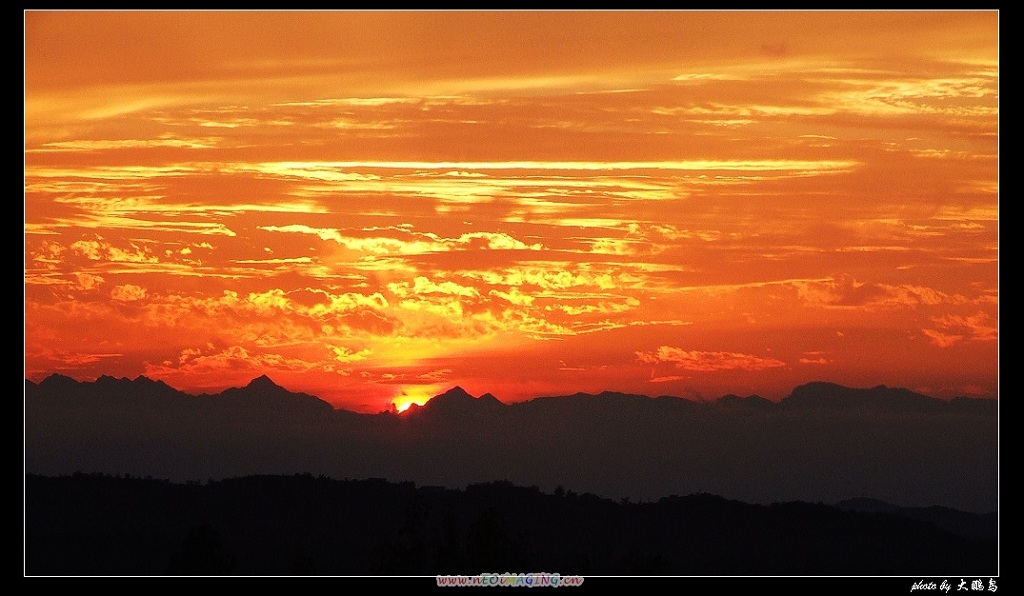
(97, 525)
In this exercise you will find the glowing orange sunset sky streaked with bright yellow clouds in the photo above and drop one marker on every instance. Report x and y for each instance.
(373, 207)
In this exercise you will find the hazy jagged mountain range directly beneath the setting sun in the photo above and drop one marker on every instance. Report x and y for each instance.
(824, 443)
